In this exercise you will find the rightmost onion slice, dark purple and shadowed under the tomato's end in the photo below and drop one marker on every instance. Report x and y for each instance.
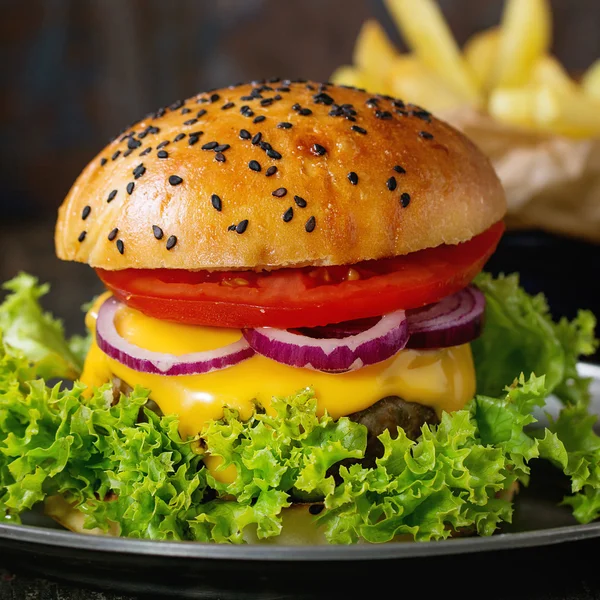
(455, 320)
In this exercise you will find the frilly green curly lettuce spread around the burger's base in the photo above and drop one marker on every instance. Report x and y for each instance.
(123, 466)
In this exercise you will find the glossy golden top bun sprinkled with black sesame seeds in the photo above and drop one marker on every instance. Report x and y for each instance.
(277, 174)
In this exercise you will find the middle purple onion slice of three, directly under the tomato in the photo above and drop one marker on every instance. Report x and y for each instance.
(384, 339)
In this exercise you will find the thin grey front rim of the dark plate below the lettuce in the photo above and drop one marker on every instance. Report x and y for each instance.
(39, 536)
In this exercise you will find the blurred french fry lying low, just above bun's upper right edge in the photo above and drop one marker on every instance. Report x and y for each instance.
(411, 81)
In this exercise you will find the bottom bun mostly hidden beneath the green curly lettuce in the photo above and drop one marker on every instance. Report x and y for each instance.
(298, 523)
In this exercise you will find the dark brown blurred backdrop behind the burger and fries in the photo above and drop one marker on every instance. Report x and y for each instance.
(75, 72)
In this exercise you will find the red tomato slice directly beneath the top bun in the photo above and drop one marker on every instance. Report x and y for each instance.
(307, 296)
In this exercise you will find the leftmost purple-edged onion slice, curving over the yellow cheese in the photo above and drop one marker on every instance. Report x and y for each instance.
(115, 346)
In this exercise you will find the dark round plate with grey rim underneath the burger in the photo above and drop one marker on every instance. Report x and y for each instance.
(196, 570)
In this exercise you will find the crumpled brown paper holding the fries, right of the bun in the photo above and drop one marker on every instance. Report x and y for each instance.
(552, 182)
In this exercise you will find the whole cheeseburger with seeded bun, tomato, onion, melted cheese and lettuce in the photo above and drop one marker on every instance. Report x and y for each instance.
(284, 349)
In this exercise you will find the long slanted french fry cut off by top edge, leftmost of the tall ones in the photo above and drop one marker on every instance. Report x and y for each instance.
(426, 32)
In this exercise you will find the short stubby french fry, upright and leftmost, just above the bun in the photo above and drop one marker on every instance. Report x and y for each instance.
(373, 51)
